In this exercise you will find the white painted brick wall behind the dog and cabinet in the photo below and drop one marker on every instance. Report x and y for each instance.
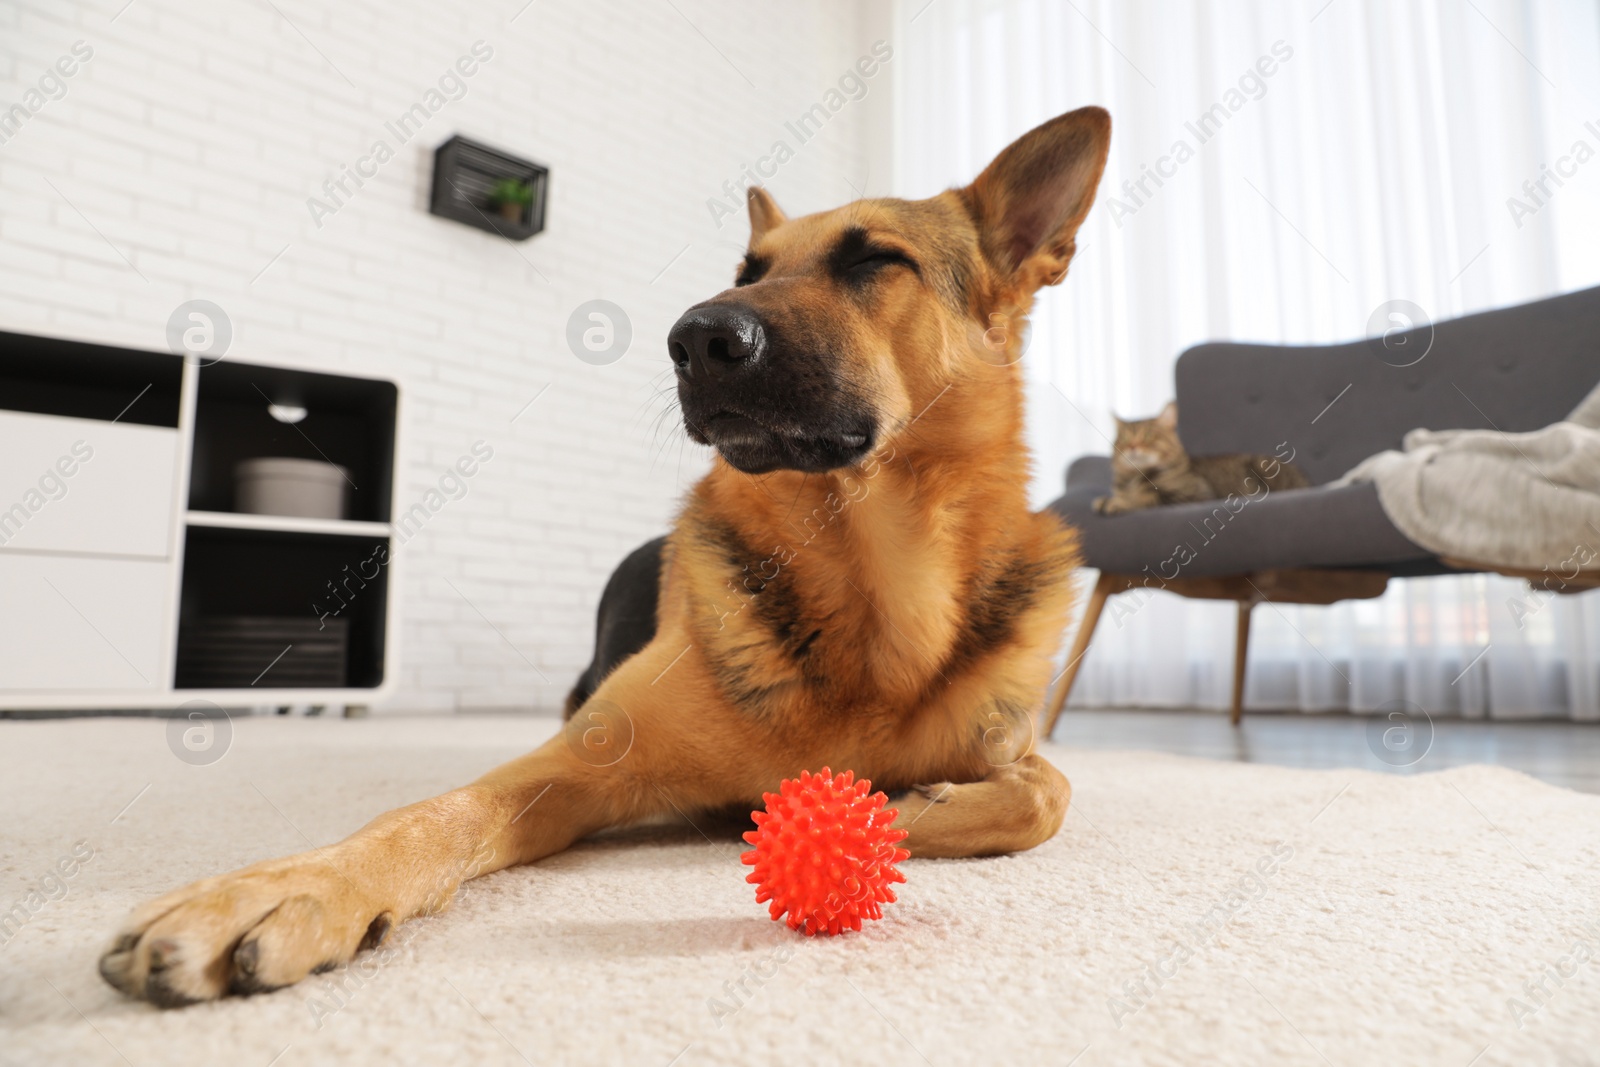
(194, 137)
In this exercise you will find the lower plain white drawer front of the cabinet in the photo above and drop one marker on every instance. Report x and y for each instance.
(79, 623)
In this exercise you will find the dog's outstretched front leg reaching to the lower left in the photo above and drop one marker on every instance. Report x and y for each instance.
(647, 743)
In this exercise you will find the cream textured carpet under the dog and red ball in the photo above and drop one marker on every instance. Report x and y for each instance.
(1190, 913)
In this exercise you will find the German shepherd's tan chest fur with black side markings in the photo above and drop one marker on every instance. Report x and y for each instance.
(868, 602)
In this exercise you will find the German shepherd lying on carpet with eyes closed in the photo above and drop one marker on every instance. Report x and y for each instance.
(858, 583)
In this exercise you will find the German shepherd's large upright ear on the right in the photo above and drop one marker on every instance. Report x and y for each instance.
(1033, 198)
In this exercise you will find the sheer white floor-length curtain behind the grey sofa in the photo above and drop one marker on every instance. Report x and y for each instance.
(1370, 151)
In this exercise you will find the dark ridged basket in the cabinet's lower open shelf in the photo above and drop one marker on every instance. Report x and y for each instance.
(263, 653)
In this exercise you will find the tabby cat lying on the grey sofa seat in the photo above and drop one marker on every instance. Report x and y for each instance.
(1151, 468)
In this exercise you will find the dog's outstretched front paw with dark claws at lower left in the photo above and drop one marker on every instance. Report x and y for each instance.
(249, 932)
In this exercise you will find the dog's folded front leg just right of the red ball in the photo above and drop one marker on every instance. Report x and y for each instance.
(1014, 809)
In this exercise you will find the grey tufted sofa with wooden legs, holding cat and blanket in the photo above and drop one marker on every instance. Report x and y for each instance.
(1518, 369)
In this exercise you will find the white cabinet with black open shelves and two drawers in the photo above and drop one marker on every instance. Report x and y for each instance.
(116, 540)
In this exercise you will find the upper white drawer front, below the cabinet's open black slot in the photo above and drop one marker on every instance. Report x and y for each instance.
(86, 486)
